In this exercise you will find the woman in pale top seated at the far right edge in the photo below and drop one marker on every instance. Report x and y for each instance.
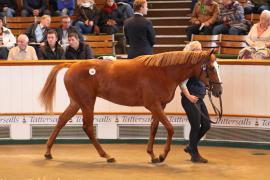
(258, 39)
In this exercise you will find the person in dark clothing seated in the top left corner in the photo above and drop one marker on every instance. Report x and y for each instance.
(8, 8)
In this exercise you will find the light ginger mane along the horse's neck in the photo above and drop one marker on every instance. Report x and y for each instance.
(172, 58)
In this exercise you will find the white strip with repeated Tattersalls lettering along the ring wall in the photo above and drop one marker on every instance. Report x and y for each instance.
(227, 121)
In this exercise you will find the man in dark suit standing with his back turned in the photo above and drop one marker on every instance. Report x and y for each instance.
(139, 32)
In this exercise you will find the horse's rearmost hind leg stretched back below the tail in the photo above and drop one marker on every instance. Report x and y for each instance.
(70, 111)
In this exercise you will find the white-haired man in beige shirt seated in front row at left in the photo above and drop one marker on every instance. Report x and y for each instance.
(22, 51)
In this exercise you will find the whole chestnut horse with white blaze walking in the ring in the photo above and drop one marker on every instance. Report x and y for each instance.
(148, 81)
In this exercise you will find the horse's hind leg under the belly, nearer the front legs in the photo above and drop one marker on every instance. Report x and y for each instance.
(88, 118)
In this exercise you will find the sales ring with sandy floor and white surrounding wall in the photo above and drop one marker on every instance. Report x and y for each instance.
(237, 147)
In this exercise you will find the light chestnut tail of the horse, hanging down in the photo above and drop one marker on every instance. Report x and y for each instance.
(48, 91)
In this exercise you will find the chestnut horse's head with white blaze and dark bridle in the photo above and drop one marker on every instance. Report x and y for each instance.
(209, 74)
